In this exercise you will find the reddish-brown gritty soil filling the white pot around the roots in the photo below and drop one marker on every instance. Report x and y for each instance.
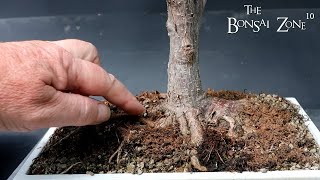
(275, 138)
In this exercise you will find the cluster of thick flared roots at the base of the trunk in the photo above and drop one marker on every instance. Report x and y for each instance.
(220, 113)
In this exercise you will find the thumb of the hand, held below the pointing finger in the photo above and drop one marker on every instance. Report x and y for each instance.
(77, 110)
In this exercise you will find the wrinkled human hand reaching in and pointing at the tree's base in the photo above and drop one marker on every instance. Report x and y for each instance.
(46, 84)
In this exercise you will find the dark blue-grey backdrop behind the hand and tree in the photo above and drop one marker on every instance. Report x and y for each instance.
(133, 44)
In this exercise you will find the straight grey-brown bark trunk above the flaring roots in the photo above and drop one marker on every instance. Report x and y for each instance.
(184, 20)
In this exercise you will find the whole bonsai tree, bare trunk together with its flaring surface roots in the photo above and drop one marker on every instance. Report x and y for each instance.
(187, 104)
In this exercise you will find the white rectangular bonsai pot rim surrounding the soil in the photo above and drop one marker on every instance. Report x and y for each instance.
(21, 171)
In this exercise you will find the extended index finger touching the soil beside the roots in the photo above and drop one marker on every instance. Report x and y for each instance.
(89, 78)
